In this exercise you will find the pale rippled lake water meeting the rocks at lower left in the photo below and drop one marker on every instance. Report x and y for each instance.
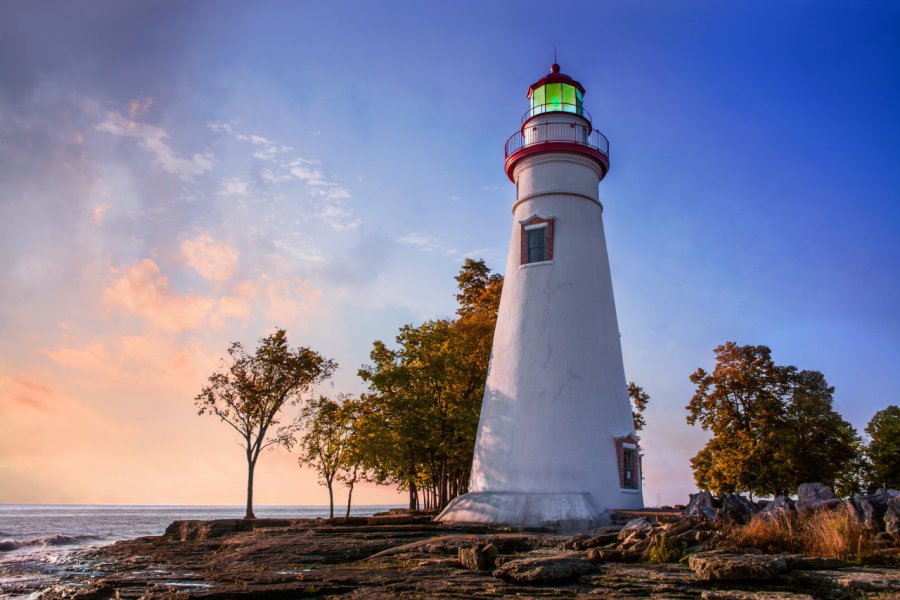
(37, 540)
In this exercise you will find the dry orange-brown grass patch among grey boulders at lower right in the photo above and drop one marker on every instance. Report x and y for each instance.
(834, 534)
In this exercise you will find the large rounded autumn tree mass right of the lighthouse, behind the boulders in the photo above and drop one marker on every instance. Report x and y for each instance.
(773, 427)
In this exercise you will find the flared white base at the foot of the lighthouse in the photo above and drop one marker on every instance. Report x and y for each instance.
(559, 511)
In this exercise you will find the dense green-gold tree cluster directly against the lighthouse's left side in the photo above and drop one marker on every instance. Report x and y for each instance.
(422, 414)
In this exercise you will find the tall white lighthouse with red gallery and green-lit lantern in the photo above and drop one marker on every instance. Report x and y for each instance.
(556, 444)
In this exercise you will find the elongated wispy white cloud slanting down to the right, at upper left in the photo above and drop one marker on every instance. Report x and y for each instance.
(155, 140)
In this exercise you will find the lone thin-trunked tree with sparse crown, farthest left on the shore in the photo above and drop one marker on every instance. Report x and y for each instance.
(250, 390)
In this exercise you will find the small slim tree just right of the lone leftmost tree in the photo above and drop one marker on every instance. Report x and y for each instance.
(327, 428)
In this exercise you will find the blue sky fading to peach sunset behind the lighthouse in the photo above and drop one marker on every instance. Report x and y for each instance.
(175, 176)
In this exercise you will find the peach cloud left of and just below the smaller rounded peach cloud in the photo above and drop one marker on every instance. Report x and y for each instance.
(143, 291)
